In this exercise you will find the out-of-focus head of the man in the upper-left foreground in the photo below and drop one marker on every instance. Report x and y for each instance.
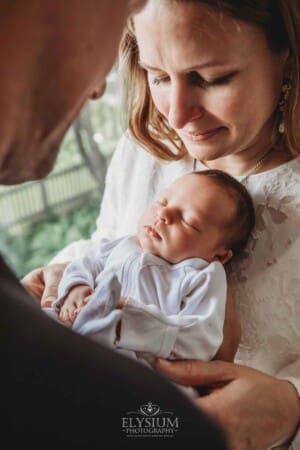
(54, 56)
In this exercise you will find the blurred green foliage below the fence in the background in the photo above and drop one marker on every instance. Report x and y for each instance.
(36, 244)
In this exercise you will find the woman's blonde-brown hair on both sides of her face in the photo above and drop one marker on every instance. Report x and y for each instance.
(280, 22)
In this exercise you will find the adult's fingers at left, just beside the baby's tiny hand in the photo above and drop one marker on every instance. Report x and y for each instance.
(42, 283)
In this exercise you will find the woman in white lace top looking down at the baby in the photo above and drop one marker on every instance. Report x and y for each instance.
(216, 84)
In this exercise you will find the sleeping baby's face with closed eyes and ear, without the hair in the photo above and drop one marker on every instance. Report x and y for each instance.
(188, 220)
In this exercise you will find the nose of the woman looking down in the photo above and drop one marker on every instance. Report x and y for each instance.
(184, 106)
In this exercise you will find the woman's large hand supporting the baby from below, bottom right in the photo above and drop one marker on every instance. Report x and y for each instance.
(256, 410)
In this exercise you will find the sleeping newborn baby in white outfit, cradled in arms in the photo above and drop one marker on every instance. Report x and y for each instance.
(162, 292)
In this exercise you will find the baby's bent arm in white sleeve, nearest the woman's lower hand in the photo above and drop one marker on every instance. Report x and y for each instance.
(194, 332)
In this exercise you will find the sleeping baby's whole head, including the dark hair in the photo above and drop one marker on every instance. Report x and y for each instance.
(205, 214)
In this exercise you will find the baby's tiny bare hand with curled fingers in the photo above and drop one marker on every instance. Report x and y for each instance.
(76, 299)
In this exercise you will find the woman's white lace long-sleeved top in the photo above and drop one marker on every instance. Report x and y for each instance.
(265, 279)
